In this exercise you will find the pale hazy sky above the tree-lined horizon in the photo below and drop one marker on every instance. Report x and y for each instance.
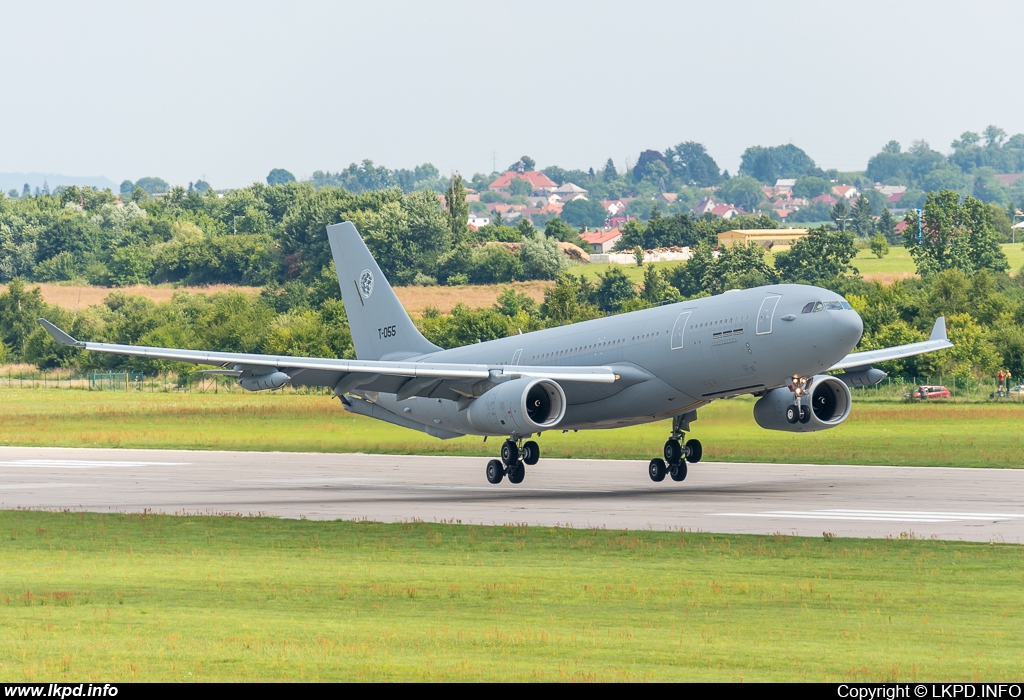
(229, 91)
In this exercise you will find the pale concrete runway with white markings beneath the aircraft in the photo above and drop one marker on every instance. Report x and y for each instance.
(975, 505)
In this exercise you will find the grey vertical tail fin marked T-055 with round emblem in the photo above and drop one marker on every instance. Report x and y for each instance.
(381, 329)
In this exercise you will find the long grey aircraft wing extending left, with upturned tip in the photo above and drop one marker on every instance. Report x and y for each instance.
(332, 371)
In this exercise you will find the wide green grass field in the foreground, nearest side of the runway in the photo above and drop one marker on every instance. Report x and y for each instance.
(106, 598)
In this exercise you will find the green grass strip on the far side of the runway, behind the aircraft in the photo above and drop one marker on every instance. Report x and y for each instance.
(877, 433)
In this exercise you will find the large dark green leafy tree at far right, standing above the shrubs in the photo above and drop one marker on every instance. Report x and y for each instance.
(954, 235)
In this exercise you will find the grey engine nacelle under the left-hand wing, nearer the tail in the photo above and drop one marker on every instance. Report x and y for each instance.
(519, 408)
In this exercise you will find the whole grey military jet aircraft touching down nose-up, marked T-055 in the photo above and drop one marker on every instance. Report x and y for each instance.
(776, 342)
